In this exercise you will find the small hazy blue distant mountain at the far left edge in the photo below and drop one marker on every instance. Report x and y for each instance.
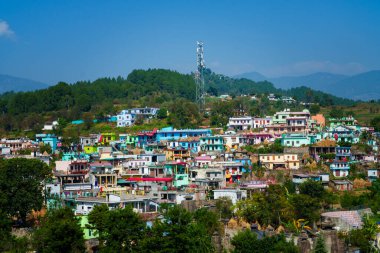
(11, 83)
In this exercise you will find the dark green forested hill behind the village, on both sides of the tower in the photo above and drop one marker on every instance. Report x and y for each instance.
(21, 110)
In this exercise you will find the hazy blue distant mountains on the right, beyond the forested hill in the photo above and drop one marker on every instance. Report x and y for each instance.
(364, 86)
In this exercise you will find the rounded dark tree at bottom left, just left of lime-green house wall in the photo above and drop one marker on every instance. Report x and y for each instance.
(60, 231)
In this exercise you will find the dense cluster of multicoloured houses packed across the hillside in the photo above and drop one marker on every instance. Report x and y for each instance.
(174, 165)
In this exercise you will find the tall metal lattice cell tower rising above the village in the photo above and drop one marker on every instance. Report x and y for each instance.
(199, 78)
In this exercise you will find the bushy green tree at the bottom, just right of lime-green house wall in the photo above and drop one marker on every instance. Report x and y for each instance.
(120, 230)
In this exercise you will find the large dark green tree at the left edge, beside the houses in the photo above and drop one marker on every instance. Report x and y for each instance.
(21, 189)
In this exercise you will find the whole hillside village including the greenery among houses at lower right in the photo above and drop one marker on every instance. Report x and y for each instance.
(293, 173)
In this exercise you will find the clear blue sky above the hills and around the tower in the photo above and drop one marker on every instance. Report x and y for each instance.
(72, 40)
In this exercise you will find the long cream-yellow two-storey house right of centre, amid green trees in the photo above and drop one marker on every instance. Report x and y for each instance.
(275, 161)
